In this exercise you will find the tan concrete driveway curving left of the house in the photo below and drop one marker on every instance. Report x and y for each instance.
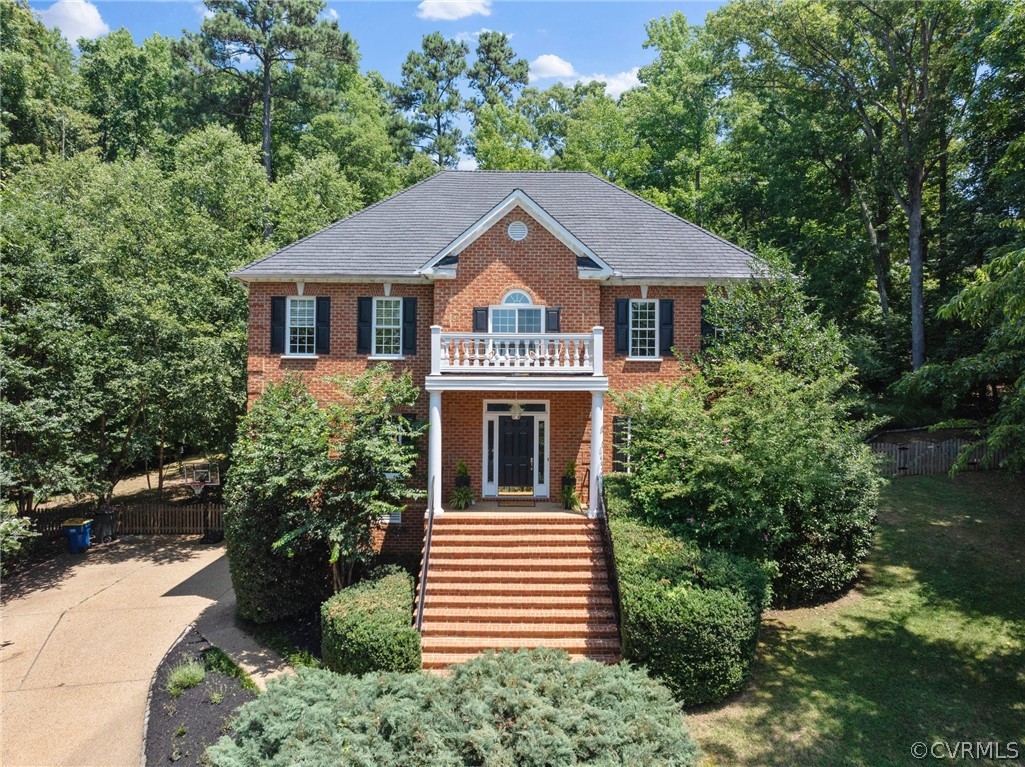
(80, 639)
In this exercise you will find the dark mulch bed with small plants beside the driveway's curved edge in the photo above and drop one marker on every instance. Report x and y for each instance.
(180, 730)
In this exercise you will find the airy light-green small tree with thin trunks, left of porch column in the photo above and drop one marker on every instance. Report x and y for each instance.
(370, 453)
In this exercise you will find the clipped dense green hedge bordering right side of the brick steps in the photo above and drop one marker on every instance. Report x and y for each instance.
(691, 617)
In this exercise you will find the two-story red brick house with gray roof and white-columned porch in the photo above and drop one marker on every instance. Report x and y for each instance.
(518, 300)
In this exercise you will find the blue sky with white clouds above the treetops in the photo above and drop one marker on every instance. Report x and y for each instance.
(562, 41)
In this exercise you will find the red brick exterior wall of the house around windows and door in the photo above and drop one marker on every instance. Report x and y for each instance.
(488, 269)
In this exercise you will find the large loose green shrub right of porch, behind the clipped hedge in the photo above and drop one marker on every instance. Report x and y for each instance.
(761, 463)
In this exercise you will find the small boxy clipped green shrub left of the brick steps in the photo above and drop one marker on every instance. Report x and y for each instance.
(370, 627)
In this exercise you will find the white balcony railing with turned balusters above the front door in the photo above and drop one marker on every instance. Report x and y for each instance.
(516, 353)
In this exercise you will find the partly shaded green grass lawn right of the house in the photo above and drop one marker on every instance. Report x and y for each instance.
(930, 648)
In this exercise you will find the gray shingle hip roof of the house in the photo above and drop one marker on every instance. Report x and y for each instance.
(398, 235)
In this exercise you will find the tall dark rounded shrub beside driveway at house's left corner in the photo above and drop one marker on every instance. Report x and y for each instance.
(282, 436)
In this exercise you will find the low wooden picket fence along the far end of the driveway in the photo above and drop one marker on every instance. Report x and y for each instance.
(141, 519)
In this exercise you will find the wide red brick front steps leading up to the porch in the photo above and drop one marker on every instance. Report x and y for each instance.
(513, 580)
